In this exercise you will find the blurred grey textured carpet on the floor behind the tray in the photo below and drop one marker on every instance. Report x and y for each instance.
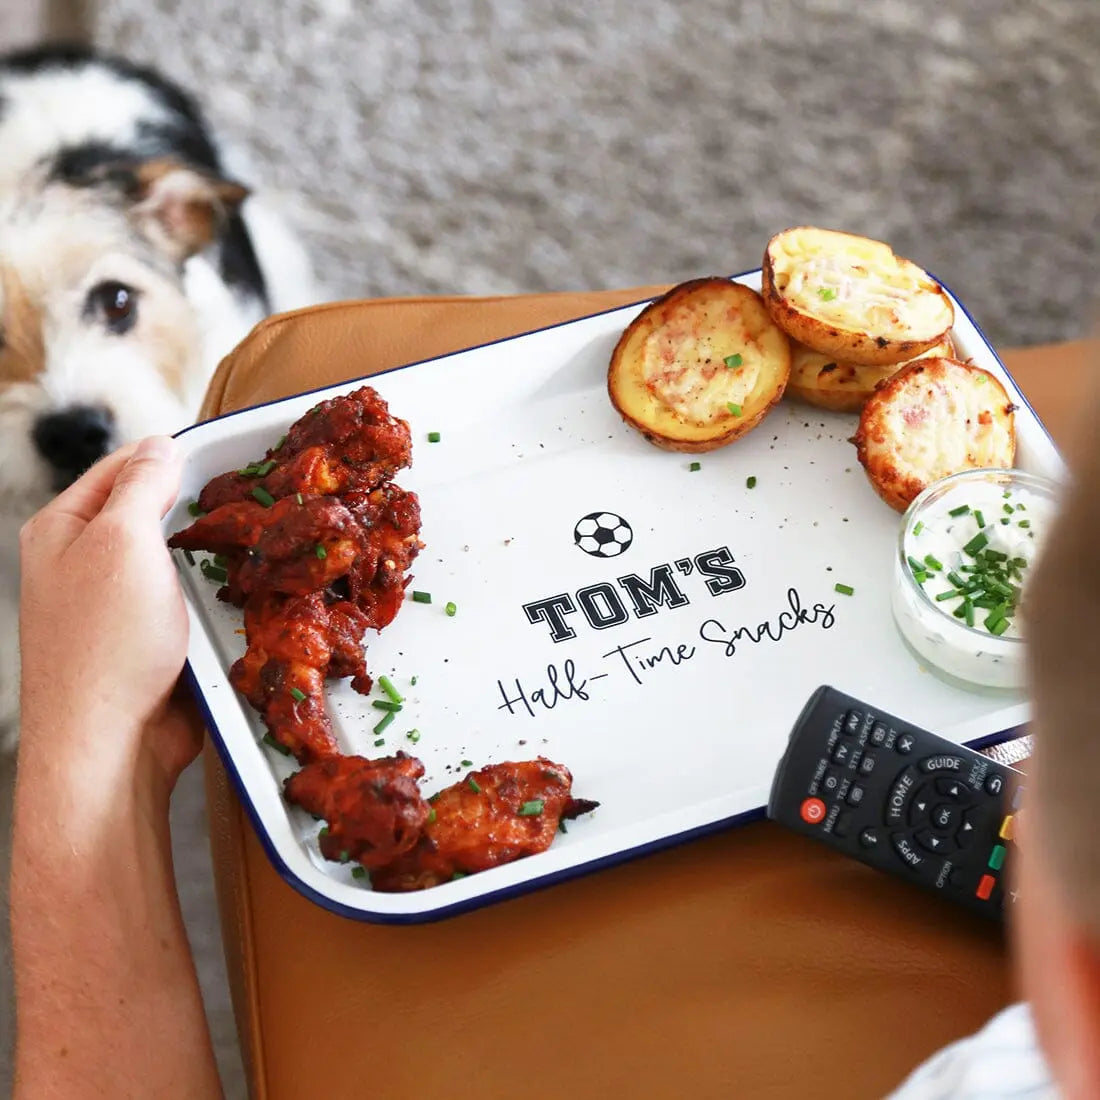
(471, 147)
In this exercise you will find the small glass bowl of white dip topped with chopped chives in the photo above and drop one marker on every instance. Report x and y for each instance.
(971, 541)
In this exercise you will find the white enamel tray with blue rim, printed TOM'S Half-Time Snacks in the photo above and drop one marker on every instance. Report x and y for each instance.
(676, 731)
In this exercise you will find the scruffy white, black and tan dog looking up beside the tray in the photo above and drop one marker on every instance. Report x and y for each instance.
(130, 263)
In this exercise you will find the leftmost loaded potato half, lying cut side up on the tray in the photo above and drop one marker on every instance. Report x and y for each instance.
(700, 367)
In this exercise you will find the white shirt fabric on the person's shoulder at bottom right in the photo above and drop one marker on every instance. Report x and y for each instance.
(1003, 1062)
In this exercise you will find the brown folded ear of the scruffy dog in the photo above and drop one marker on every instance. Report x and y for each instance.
(179, 207)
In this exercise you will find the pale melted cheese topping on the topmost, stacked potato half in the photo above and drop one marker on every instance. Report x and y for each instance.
(860, 285)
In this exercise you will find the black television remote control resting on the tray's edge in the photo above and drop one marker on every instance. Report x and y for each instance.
(899, 799)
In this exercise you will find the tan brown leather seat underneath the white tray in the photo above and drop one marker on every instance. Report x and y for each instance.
(752, 964)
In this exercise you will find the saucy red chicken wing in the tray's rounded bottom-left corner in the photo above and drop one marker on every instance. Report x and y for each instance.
(373, 809)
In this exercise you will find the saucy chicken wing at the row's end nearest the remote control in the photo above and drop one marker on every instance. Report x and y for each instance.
(496, 816)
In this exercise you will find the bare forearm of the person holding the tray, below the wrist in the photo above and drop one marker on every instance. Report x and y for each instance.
(107, 994)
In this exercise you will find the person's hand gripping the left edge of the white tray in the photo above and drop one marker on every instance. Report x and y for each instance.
(103, 623)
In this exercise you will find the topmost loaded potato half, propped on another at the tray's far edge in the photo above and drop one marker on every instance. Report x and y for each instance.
(853, 299)
